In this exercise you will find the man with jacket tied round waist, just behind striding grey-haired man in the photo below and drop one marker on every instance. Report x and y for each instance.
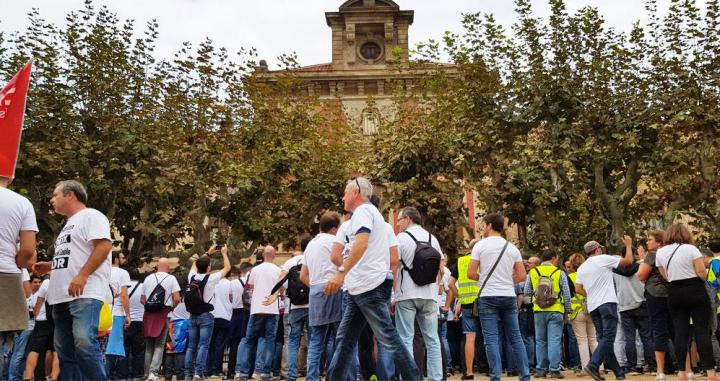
(325, 311)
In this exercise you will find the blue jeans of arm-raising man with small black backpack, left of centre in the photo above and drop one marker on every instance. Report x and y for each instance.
(199, 335)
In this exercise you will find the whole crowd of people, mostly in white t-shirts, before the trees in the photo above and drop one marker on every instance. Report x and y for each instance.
(358, 301)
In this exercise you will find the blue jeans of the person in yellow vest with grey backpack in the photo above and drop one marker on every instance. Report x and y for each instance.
(548, 341)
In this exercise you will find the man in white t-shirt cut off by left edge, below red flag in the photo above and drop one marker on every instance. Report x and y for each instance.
(17, 223)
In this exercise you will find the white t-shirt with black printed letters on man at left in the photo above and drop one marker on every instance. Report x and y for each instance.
(73, 247)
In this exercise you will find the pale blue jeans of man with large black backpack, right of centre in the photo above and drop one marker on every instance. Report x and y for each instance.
(423, 311)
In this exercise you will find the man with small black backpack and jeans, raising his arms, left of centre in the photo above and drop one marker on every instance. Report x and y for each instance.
(202, 319)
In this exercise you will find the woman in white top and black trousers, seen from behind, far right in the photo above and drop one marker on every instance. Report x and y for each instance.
(681, 263)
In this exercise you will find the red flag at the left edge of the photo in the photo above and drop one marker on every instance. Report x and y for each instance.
(12, 111)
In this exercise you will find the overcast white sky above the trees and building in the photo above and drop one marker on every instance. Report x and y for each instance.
(283, 26)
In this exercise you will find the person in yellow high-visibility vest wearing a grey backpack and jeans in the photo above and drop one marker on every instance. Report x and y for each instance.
(548, 287)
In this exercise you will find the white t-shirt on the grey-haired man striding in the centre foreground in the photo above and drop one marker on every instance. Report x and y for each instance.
(374, 266)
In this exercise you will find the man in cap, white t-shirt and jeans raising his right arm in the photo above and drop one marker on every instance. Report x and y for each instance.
(595, 281)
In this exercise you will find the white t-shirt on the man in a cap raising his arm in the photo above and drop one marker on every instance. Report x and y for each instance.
(595, 275)
